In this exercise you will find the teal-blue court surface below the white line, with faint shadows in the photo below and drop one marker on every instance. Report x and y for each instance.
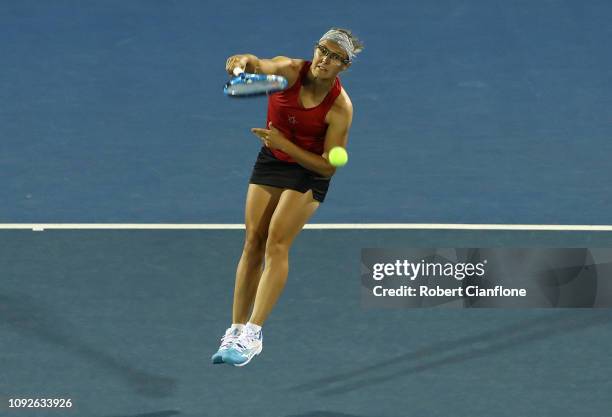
(124, 322)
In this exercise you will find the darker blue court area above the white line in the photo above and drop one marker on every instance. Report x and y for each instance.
(470, 112)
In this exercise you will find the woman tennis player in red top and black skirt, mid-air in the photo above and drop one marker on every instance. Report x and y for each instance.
(289, 180)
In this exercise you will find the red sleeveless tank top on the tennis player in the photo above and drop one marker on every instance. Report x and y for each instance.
(304, 127)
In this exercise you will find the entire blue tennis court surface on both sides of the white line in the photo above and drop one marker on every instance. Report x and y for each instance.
(479, 112)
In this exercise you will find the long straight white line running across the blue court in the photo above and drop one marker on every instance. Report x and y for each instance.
(317, 226)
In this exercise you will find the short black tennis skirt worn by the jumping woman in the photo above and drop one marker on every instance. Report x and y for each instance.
(269, 170)
